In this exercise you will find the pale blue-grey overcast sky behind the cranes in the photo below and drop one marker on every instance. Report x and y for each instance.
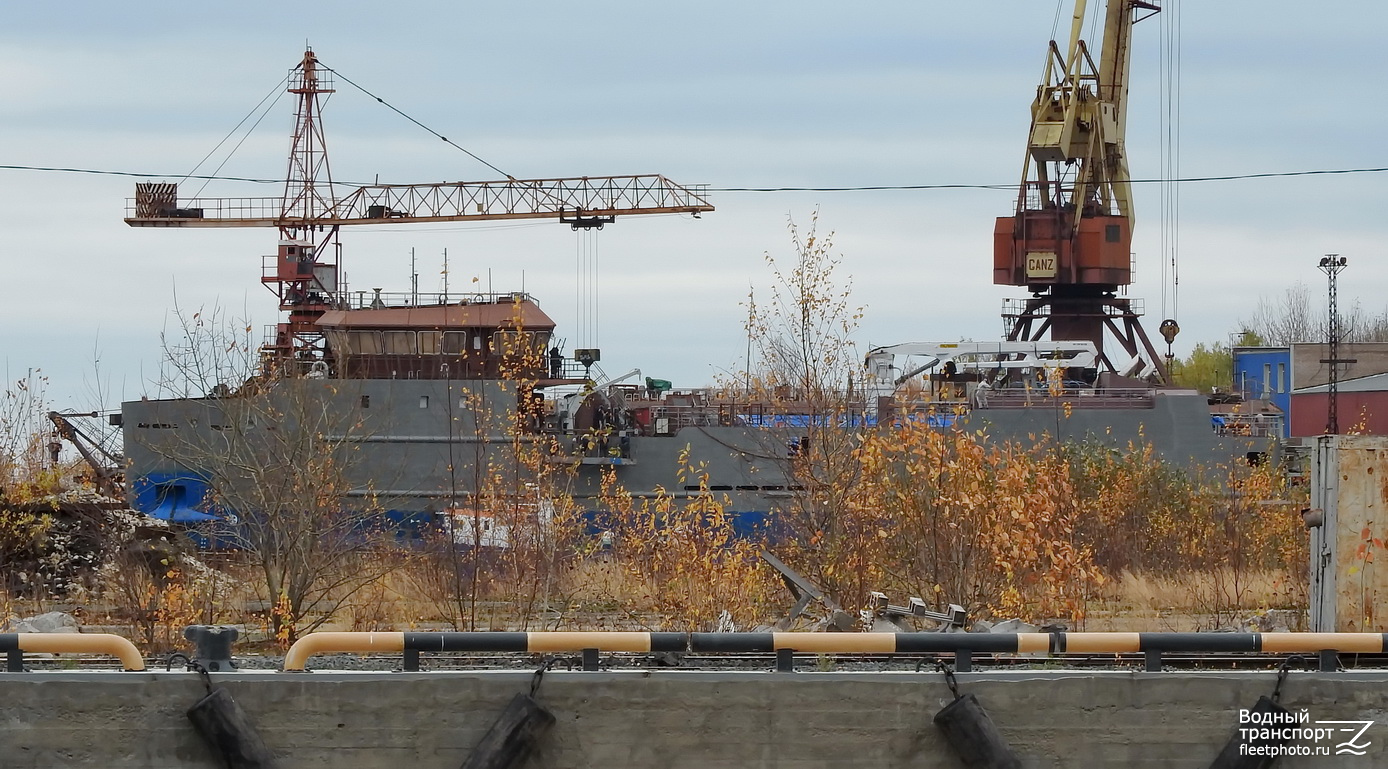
(732, 95)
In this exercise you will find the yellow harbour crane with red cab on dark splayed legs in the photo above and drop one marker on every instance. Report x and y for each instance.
(1071, 239)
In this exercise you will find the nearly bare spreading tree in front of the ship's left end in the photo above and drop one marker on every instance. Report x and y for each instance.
(277, 456)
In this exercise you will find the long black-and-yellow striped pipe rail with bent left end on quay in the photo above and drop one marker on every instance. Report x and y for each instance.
(964, 646)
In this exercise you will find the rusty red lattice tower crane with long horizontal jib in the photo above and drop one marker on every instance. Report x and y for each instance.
(310, 214)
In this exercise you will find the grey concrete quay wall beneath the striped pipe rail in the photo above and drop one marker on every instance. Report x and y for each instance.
(672, 718)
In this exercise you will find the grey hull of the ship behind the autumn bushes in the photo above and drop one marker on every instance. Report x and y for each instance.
(421, 446)
